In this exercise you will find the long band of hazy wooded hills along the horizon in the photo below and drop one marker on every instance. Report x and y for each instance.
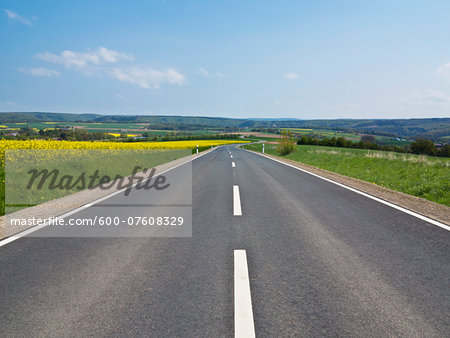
(428, 128)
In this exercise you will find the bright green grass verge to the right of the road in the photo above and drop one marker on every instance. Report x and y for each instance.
(422, 176)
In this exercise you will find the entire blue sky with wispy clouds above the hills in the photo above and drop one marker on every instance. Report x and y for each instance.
(298, 59)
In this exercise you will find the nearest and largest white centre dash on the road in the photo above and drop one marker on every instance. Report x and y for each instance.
(243, 312)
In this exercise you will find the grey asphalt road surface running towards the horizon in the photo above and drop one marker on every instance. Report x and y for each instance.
(322, 261)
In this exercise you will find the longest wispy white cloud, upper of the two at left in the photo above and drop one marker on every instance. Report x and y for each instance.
(81, 60)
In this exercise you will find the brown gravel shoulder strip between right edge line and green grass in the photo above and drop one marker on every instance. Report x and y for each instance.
(419, 205)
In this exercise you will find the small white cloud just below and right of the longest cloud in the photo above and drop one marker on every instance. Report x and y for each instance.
(148, 77)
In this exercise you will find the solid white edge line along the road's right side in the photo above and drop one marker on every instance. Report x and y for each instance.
(392, 205)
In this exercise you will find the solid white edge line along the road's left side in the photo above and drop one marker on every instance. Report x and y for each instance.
(85, 206)
